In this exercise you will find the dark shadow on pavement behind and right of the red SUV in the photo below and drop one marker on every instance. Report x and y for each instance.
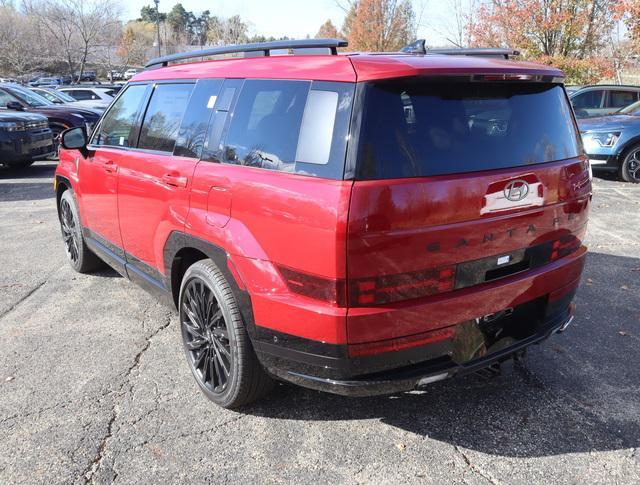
(576, 392)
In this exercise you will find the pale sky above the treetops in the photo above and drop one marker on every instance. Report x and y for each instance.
(297, 18)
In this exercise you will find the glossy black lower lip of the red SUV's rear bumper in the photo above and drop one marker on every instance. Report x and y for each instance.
(411, 377)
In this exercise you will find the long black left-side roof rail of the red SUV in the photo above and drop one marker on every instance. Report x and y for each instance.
(261, 47)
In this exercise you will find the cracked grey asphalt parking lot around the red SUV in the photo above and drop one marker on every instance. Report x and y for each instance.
(94, 386)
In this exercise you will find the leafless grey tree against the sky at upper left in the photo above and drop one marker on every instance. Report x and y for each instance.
(73, 29)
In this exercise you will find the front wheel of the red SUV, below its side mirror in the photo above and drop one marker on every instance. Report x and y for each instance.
(81, 258)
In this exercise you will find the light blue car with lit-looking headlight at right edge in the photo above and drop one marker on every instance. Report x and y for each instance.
(613, 142)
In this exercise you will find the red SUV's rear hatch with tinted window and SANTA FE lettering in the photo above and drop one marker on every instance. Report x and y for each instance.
(459, 183)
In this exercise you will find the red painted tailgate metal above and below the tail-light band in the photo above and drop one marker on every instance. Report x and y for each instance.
(399, 226)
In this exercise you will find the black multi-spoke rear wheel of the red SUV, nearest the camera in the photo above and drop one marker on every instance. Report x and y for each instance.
(216, 343)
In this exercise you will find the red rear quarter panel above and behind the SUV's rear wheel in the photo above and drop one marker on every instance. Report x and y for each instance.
(276, 219)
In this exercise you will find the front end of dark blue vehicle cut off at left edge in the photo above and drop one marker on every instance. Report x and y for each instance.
(24, 138)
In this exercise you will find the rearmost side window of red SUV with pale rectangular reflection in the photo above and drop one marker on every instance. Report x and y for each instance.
(291, 126)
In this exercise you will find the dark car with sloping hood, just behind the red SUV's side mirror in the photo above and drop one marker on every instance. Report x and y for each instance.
(61, 117)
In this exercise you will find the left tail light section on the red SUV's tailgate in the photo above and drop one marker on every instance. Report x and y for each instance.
(405, 286)
